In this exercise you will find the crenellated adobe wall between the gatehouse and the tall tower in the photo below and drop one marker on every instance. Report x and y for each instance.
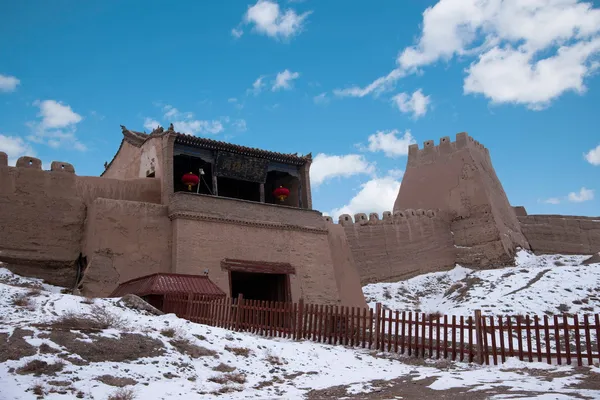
(400, 245)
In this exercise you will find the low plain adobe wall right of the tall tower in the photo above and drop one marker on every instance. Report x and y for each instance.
(560, 234)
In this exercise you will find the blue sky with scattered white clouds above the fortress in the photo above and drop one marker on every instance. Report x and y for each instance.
(352, 82)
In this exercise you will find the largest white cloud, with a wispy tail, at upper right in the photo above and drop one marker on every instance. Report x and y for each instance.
(528, 52)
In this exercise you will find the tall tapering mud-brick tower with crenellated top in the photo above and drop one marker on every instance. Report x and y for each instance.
(458, 178)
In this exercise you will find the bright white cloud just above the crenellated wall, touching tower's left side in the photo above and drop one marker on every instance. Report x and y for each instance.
(376, 195)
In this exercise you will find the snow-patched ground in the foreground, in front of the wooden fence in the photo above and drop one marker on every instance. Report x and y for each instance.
(164, 357)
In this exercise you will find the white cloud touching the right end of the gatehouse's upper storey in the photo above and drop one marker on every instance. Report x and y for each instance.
(325, 167)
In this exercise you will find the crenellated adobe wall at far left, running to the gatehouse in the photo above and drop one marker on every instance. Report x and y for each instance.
(46, 211)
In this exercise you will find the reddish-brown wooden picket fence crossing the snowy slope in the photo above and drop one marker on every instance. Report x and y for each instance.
(482, 339)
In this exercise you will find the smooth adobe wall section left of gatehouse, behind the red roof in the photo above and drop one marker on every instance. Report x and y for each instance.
(124, 240)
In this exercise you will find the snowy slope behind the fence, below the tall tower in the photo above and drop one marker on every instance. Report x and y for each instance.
(548, 284)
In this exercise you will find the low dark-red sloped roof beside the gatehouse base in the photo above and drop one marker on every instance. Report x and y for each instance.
(162, 283)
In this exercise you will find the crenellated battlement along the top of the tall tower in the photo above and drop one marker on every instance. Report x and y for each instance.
(430, 151)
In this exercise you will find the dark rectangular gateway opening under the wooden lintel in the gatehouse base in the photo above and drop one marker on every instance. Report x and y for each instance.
(259, 286)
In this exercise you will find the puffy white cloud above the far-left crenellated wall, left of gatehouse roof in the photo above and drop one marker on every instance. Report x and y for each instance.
(57, 126)
